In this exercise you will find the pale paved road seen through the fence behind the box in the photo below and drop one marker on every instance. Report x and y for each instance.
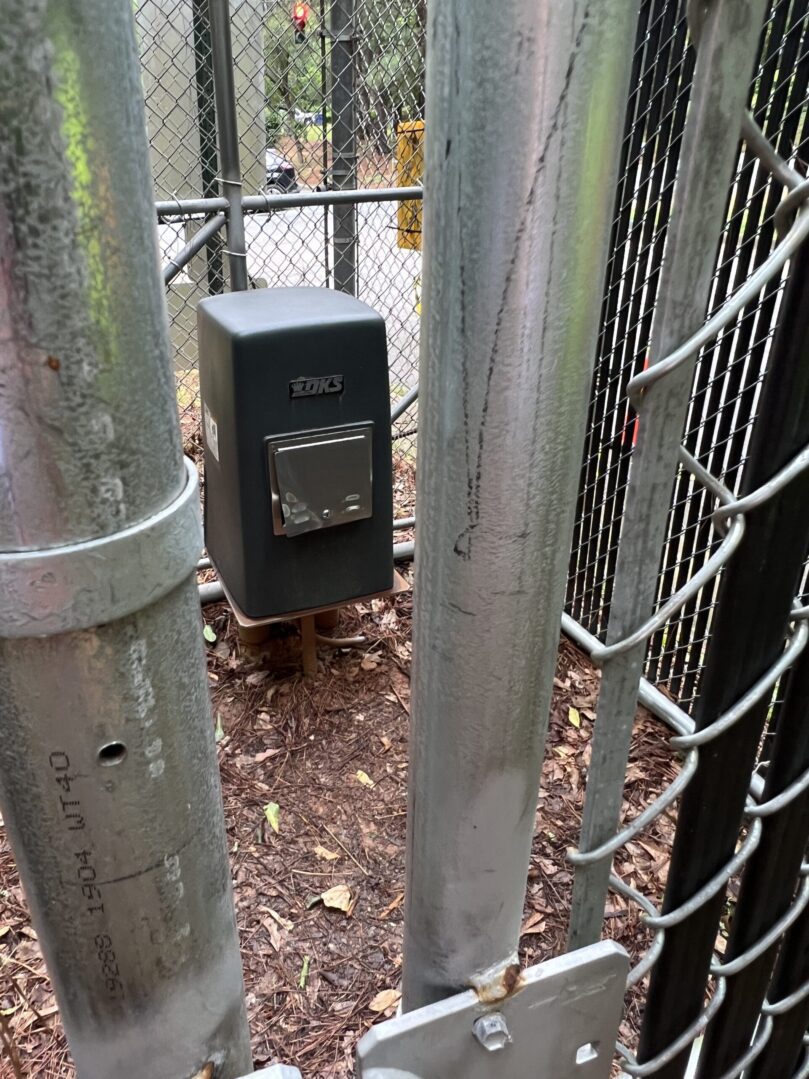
(287, 249)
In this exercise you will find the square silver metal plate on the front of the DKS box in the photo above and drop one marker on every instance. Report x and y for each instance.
(321, 479)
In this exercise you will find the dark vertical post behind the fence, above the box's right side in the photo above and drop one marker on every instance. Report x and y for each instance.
(344, 142)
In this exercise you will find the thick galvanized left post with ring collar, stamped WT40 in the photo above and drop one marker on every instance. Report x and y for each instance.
(108, 770)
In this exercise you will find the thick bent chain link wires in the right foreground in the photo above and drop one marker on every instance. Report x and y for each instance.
(729, 522)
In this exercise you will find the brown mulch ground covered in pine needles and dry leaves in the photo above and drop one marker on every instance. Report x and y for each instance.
(314, 782)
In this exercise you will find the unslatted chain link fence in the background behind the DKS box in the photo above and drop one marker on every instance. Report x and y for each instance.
(293, 66)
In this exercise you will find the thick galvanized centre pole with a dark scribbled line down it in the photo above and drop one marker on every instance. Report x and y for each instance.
(514, 257)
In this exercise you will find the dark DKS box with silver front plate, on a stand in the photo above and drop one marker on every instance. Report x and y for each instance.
(297, 435)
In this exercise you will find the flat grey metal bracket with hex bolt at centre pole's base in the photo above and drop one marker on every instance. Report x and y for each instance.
(560, 1023)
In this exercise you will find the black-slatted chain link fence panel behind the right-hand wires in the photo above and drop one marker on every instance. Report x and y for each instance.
(730, 372)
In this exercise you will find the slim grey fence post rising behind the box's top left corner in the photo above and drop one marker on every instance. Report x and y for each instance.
(220, 16)
